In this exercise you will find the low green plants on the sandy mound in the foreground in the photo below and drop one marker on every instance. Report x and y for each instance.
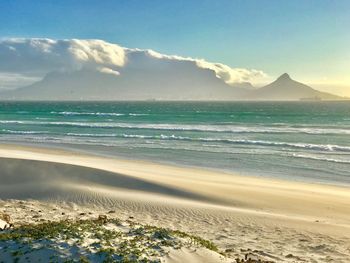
(95, 240)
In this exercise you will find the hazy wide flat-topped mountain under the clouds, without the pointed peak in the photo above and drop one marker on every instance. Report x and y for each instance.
(185, 84)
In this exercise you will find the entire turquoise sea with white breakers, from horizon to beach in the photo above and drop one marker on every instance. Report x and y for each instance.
(307, 141)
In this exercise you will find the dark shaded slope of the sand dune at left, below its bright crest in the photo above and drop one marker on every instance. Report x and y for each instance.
(43, 180)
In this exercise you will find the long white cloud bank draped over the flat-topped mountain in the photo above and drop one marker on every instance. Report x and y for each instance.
(24, 60)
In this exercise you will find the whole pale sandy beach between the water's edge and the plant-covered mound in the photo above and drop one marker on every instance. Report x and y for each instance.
(277, 220)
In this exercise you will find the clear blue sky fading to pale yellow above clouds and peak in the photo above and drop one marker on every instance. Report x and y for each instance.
(308, 39)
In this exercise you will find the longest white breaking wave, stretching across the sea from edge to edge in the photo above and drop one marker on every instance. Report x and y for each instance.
(188, 127)
